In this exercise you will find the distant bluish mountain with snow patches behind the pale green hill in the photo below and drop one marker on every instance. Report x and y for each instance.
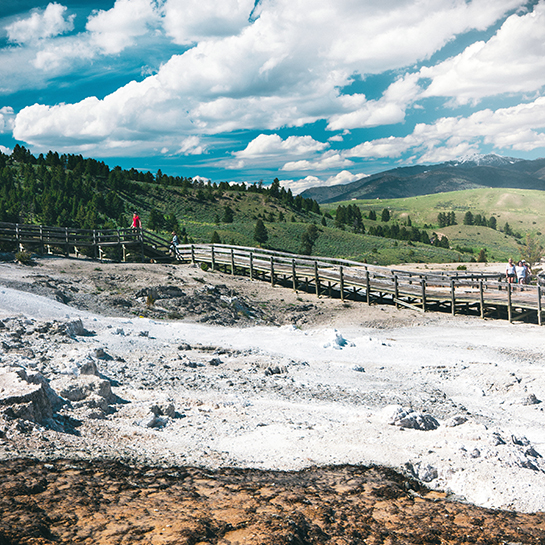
(472, 172)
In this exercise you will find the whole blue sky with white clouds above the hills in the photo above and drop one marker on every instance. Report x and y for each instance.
(314, 92)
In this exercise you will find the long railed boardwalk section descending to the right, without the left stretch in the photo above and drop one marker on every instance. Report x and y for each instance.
(487, 295)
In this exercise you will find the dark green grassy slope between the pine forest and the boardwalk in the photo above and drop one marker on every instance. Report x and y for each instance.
(199, 219)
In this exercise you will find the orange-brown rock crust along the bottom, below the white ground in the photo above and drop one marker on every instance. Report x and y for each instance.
(105, 503)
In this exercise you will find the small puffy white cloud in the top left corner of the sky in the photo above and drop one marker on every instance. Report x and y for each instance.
(41, 25)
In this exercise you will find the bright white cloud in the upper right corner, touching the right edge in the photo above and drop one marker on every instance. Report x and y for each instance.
(512, 61)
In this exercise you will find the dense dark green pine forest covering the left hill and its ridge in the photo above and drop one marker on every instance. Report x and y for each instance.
(71, 191)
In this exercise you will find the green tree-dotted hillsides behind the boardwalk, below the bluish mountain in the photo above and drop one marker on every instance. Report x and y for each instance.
(68, 190)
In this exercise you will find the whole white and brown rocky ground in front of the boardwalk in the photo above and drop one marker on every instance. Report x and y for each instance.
(174, 405)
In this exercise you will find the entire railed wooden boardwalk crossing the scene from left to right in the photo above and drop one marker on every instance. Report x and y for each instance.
(486, 295)
